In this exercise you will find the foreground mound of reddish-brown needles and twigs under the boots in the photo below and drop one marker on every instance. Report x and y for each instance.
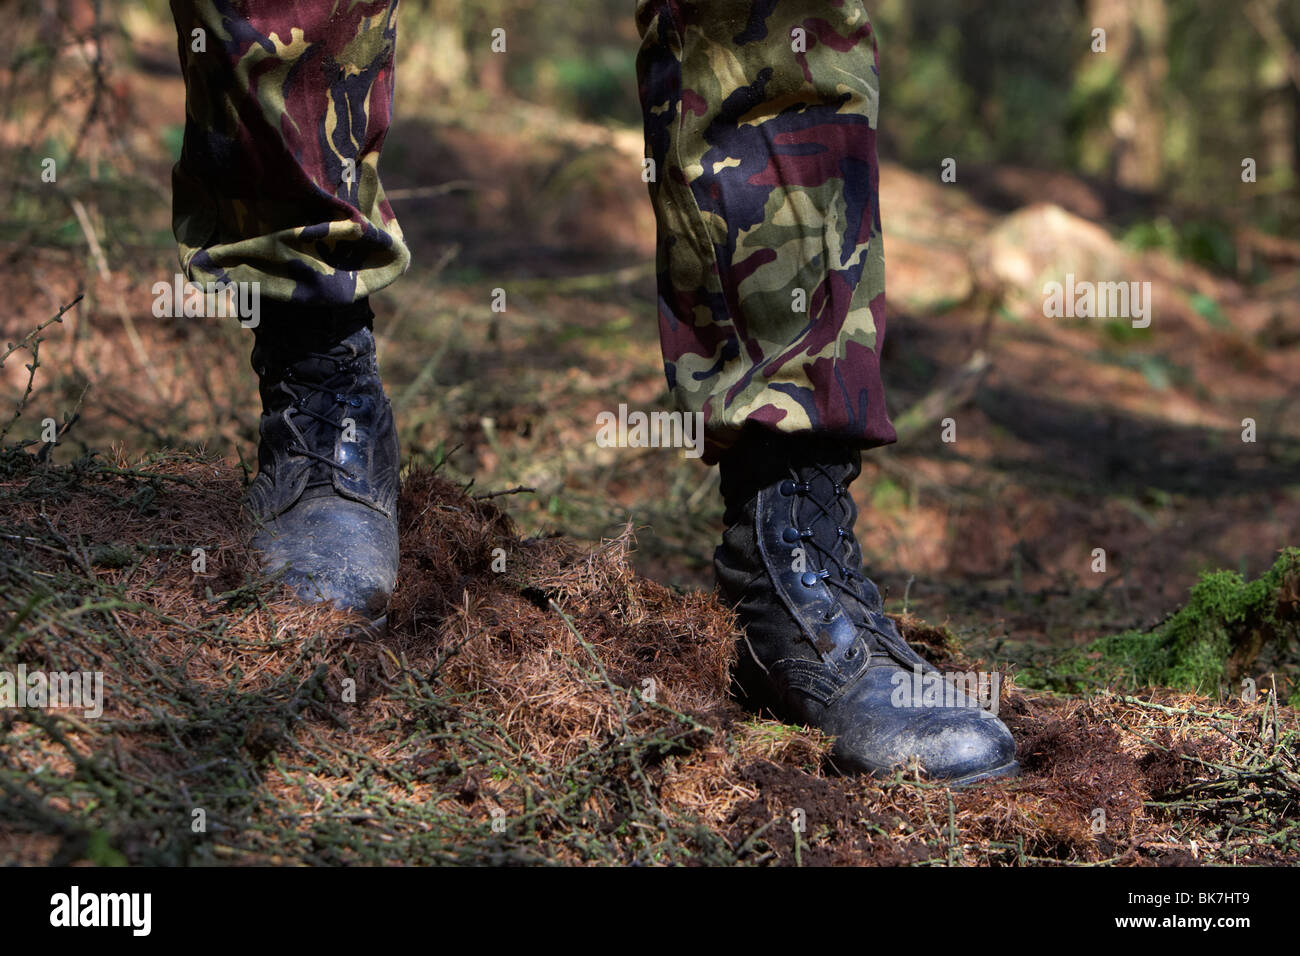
(535, 702)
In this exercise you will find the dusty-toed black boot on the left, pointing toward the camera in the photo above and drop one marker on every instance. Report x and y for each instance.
(324, 503)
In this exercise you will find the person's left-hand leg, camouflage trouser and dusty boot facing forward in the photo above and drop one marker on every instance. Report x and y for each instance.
(278, 188)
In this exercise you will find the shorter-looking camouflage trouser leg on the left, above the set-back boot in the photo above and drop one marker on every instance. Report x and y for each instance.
(287, 111)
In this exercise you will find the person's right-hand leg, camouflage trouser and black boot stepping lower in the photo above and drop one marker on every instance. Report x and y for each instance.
(761, 119)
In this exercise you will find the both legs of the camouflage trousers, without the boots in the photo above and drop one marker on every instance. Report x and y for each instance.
(760, 126)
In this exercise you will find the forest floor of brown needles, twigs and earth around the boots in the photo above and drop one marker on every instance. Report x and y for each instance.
(506, 717)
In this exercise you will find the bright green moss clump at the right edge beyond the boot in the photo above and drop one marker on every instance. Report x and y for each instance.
(1190, 651)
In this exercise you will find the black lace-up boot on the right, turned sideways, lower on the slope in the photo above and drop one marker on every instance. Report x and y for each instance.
(818, 648)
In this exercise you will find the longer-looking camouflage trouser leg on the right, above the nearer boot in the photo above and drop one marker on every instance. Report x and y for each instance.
(760, 116)
